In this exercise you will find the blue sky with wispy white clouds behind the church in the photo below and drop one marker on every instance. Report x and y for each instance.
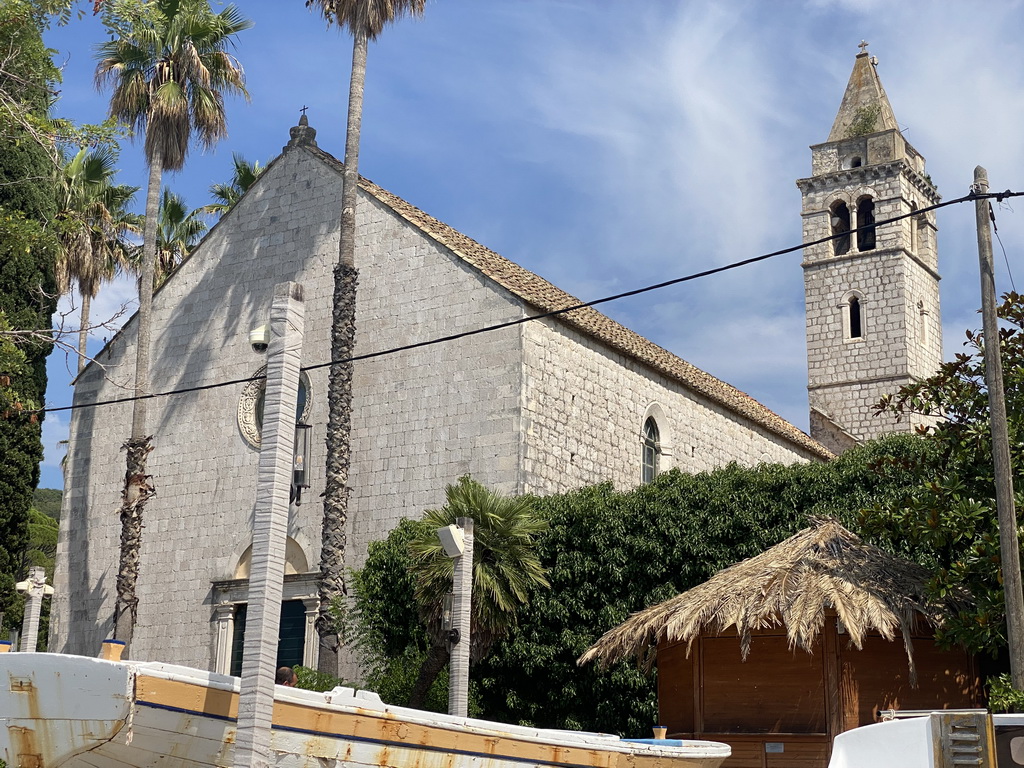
(608, 145)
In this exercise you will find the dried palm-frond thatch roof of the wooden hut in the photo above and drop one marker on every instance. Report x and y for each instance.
(797, 584)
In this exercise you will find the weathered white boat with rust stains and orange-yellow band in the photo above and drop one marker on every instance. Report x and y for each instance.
(60, 711)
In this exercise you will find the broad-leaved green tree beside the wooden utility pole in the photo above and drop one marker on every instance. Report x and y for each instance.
(948, 521)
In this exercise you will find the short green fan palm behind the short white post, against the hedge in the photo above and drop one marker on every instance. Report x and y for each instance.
(506, 567)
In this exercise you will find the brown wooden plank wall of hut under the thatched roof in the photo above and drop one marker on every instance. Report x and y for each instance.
(782, 708)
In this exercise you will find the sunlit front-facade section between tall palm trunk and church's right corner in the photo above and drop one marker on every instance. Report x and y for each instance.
(425, 417)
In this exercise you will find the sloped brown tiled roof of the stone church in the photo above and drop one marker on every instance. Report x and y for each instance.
(546, 297)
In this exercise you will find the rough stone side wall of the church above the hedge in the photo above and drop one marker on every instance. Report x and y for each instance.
(584, 410)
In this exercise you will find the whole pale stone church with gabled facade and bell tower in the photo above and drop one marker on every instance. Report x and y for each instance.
(538, 408)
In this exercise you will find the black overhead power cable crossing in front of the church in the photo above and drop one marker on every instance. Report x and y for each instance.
(999, 197)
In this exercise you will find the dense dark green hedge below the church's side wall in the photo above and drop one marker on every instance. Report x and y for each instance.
(611, 553)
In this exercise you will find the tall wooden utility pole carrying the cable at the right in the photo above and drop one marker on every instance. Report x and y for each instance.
(1009, 545)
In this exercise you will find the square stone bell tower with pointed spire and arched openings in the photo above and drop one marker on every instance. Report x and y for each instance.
(873, 293)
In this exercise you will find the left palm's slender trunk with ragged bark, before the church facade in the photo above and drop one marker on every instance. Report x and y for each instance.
(139, 488)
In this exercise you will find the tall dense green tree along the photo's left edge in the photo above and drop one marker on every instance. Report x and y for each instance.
(28, 290)
